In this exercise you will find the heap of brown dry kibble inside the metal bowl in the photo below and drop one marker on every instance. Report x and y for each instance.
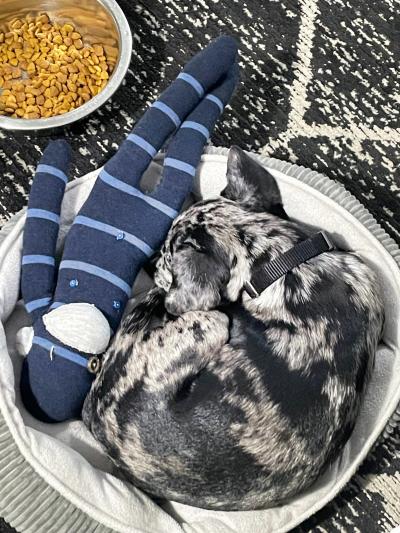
(46, 68)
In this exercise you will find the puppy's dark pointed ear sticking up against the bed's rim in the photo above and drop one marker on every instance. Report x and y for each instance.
(251, 185)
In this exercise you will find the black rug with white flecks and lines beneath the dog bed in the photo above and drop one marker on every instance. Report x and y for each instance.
(319, 88)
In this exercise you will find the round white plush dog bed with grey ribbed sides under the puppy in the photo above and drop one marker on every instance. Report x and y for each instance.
(56, 478)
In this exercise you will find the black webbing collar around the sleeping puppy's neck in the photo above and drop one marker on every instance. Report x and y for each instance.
(268, 273)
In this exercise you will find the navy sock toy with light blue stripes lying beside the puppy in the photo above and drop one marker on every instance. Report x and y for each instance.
(76, 307)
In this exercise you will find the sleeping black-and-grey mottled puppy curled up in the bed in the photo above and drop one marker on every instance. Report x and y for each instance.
(215, 399)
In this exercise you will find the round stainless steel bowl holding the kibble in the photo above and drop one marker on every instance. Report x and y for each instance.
(98, 21)
